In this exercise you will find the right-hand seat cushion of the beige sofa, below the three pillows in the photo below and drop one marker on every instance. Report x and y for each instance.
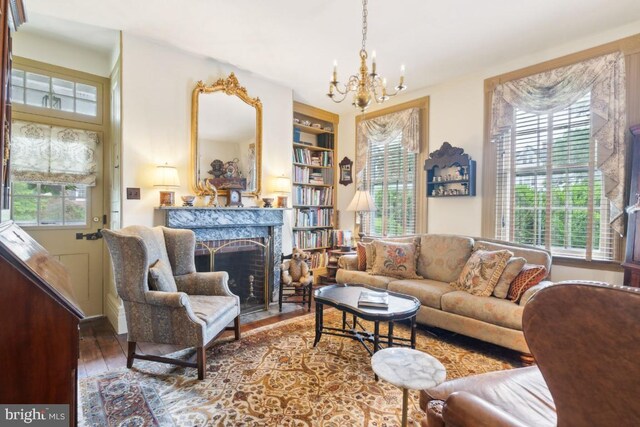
(492, 310)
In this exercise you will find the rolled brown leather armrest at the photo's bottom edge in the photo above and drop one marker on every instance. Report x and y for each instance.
(465, 409)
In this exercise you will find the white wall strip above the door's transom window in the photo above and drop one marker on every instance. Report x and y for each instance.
(62, 54)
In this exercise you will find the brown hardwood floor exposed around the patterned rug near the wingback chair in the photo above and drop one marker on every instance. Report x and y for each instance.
(102, 350)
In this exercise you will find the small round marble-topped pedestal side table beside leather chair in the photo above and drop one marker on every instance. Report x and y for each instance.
(408, 369)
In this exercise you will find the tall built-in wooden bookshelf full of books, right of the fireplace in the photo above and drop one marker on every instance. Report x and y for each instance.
(314, 179)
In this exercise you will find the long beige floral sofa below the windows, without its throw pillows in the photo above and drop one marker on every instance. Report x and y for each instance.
(441, 258)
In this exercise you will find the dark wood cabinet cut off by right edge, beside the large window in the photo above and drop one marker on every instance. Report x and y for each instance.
(631, 262)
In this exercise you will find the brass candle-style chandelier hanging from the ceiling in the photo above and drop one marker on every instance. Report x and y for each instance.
(364, 86)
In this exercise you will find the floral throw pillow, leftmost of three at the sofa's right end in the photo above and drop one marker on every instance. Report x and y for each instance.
(482, 272)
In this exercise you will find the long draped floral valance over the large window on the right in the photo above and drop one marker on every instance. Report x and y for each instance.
(604, 78)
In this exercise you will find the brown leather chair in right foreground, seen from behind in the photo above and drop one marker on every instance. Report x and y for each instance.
(585, 338)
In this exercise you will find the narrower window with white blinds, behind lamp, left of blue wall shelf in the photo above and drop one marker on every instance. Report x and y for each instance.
(390, 178)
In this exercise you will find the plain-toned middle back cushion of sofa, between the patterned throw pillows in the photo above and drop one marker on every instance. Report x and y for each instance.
(442, 257)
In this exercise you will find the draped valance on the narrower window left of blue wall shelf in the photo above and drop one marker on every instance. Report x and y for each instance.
(384, 129)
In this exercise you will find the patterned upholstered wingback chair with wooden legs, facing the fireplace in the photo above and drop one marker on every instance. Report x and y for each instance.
(165, 300)
